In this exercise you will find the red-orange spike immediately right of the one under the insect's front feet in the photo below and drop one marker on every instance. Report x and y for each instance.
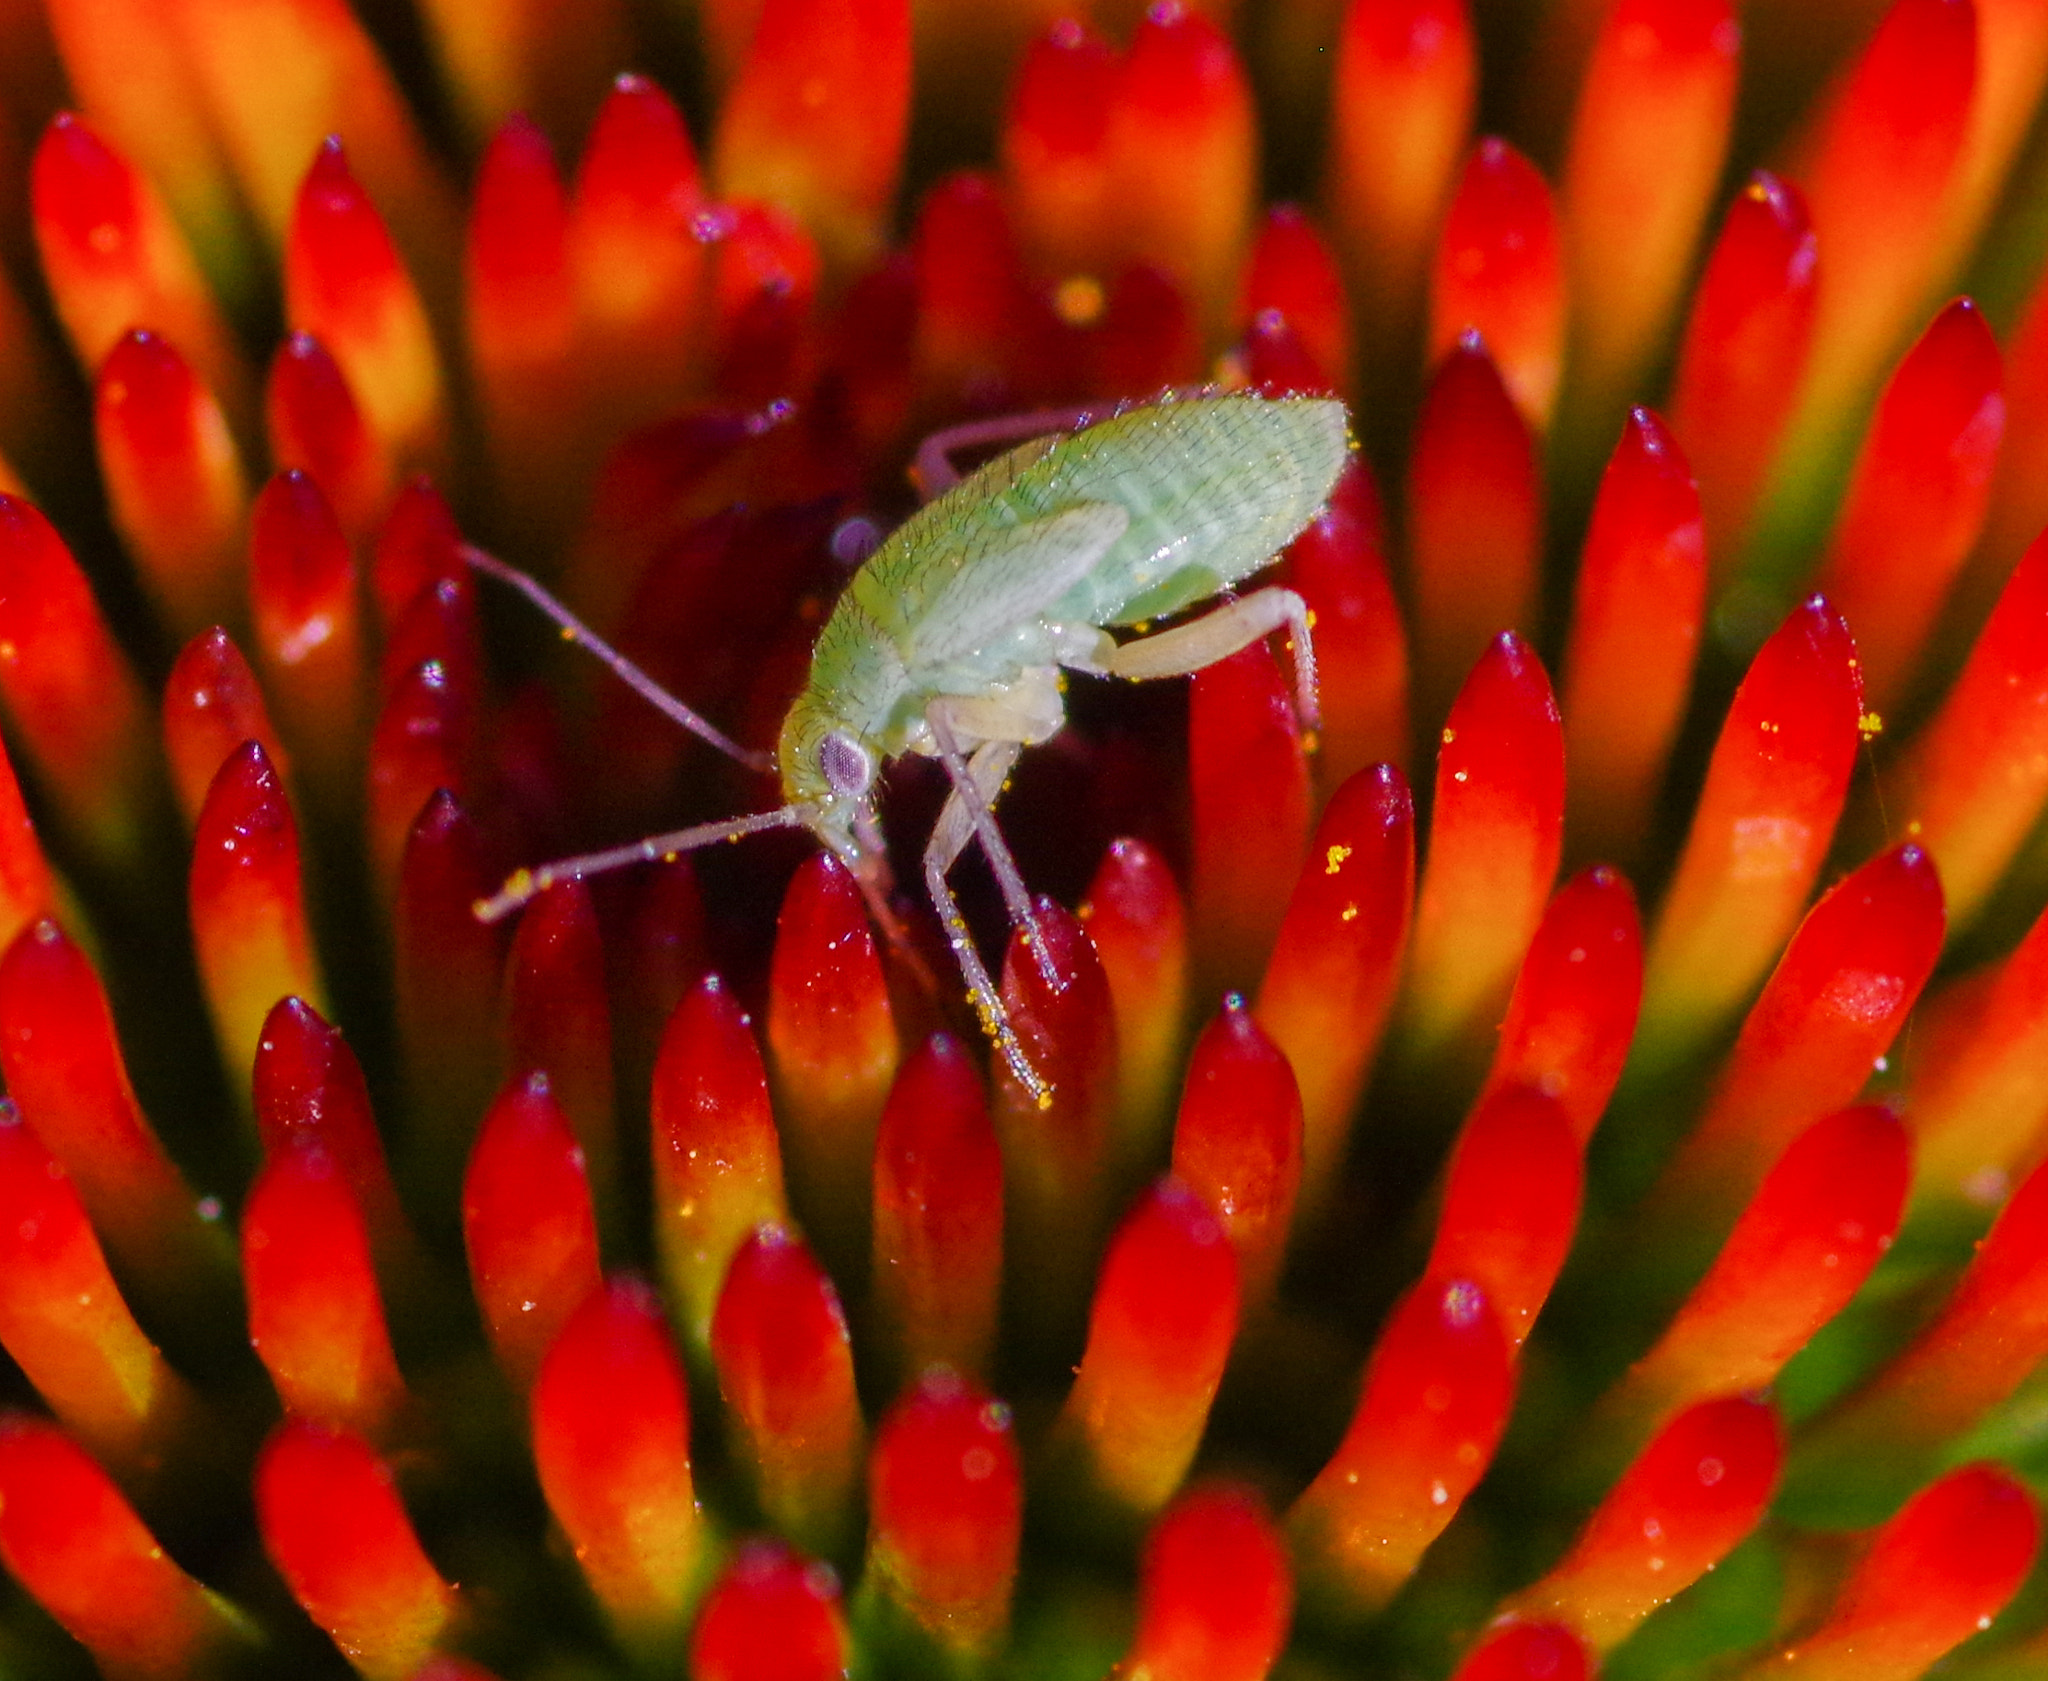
(1140, 926)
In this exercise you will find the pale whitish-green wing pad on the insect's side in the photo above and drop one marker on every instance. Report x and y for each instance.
(1009, 578)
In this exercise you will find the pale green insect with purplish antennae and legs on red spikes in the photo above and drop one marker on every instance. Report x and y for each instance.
(953, 634)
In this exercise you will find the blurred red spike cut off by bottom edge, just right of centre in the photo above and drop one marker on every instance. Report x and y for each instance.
(1215, 1590)
